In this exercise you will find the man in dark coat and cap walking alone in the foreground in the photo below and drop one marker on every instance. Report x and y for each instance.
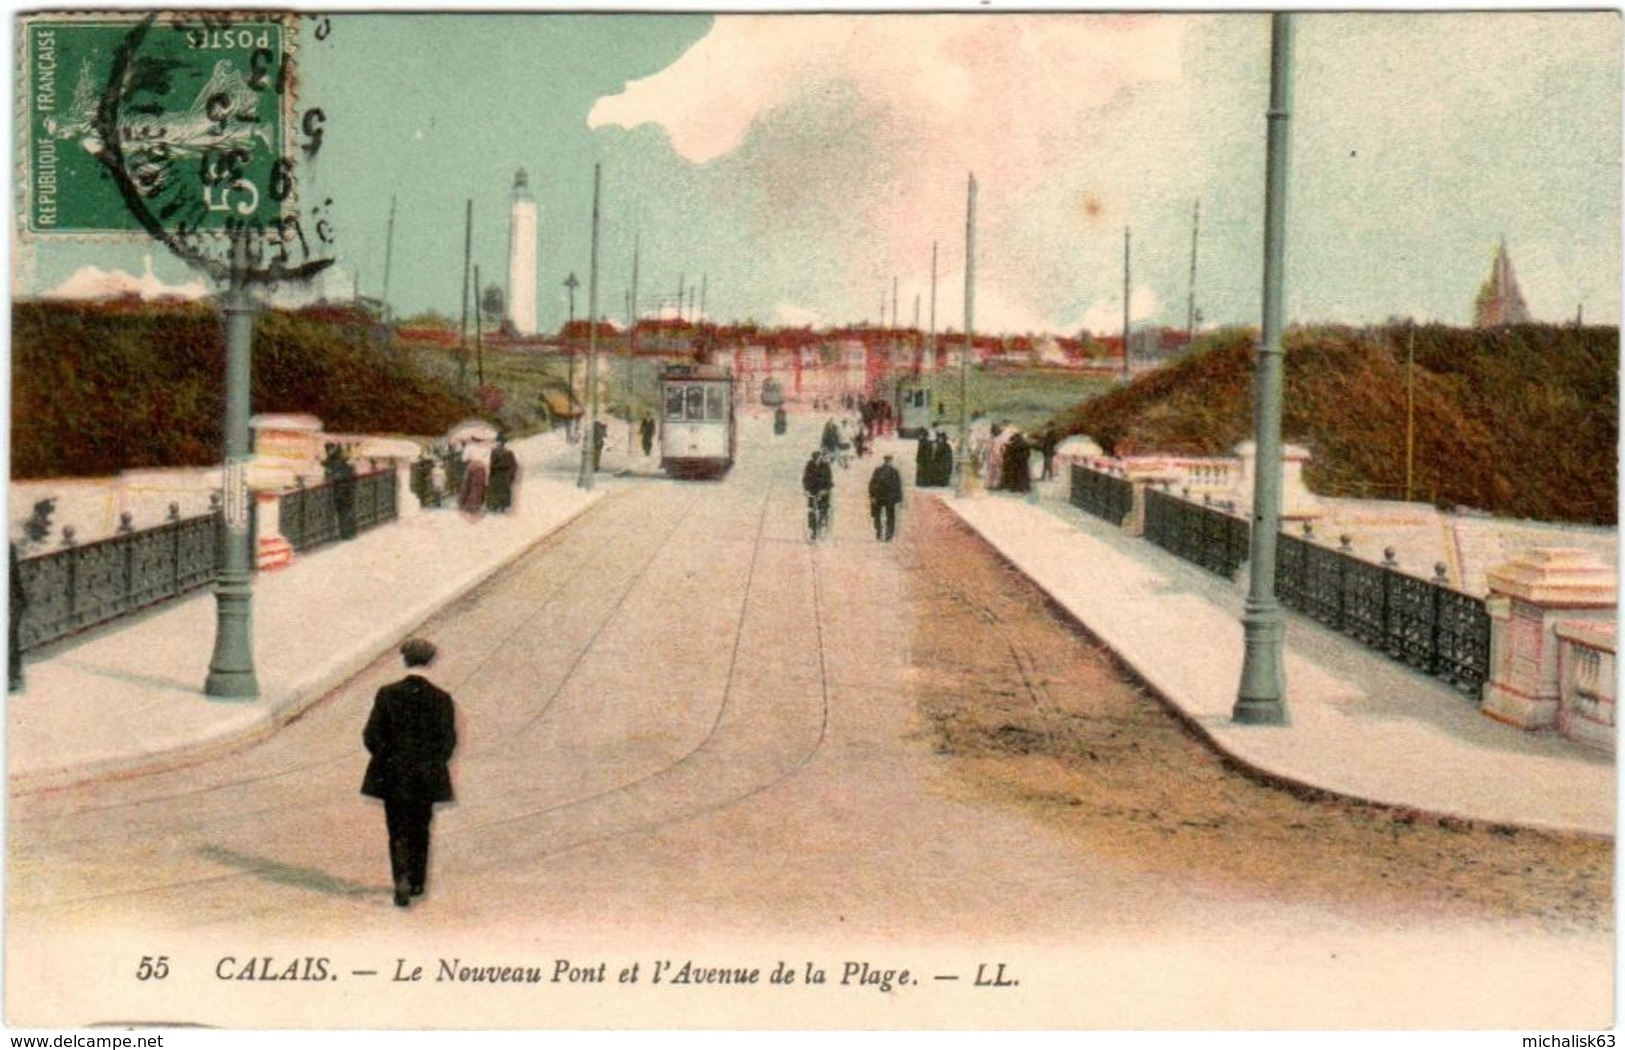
(410, 735)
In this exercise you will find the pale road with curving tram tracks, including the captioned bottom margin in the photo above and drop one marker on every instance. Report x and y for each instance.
(688, 734)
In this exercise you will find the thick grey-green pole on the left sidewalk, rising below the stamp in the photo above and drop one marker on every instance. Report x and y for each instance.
(232, 669)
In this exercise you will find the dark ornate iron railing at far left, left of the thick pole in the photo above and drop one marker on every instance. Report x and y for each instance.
(79, 588)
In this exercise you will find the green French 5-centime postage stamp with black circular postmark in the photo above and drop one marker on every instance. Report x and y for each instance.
(147, 123)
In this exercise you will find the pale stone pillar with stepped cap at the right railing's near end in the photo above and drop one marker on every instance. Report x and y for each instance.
(1528, 597)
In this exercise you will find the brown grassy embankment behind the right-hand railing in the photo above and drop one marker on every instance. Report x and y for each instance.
(1522, 422)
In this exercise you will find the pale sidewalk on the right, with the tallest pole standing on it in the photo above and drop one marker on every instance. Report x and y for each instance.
(1361, 726)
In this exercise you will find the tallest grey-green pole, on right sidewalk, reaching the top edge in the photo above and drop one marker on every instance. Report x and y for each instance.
(1262, 696)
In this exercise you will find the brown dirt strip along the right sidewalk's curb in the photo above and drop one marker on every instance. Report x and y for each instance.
(1044, 721)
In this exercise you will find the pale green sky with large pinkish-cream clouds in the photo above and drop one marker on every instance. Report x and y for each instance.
(800, 163)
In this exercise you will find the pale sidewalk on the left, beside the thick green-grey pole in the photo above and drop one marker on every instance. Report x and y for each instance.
(131, 696)
